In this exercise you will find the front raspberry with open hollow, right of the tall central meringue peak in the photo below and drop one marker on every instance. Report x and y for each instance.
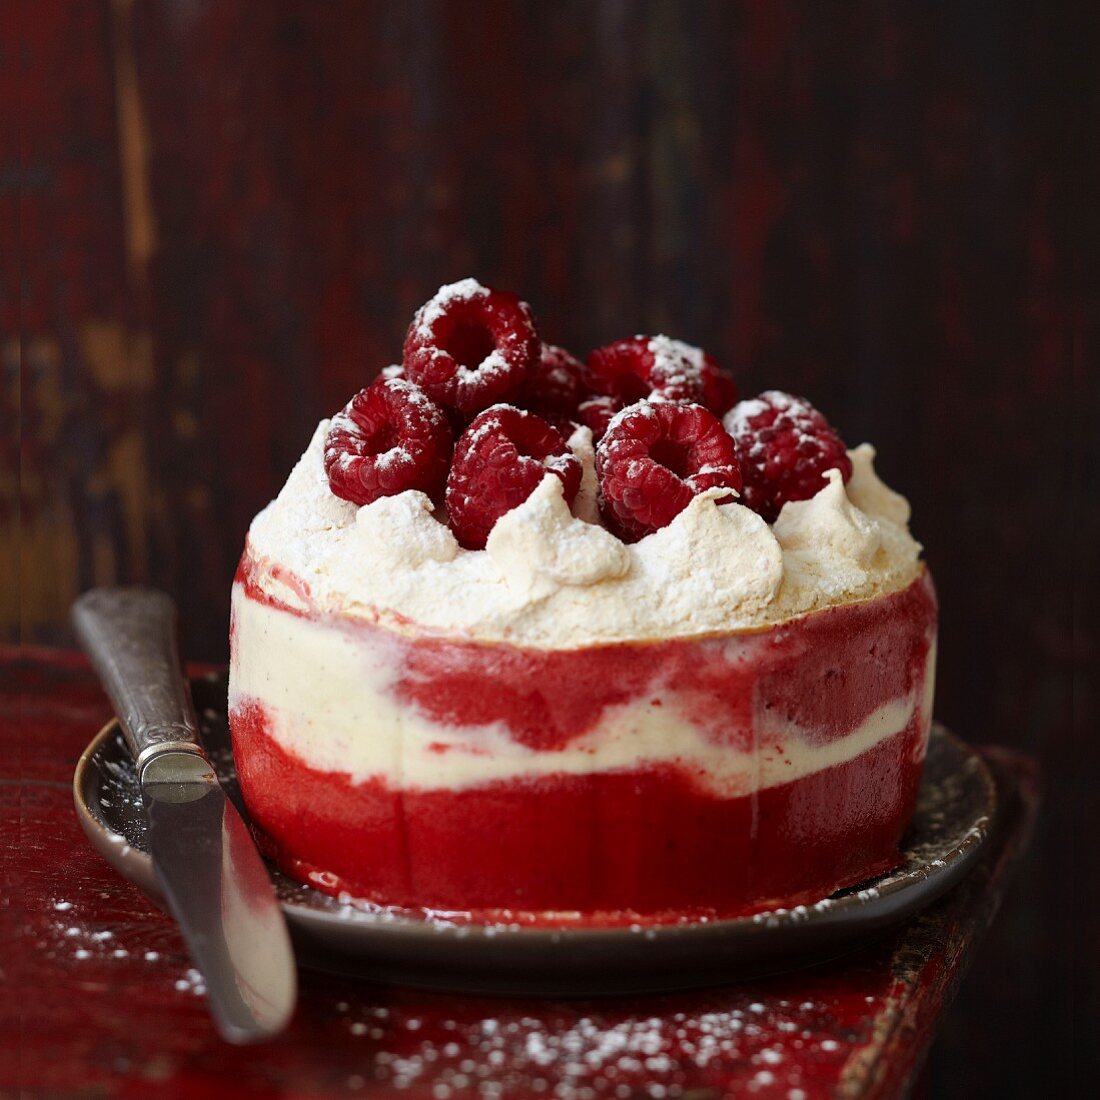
(655, 458)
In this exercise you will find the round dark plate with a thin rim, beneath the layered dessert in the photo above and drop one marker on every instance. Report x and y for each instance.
(954, 817)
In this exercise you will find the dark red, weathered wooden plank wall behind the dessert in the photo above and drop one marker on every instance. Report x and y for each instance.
(226, 214)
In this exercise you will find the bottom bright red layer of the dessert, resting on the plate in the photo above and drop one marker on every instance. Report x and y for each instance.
(640, 842)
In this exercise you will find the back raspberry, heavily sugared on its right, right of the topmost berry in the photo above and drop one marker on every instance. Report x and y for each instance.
(648, 367)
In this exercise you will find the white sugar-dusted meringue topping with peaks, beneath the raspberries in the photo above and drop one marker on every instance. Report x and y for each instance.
(555, 579)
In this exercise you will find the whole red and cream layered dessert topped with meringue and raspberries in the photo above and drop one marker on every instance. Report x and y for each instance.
(531, 635)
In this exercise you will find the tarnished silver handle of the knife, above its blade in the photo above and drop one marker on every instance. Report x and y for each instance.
(130, 636)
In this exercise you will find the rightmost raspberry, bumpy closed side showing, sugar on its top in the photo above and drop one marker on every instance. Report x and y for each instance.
(785, 446)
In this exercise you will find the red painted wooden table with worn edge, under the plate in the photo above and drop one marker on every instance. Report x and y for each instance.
(101, 998)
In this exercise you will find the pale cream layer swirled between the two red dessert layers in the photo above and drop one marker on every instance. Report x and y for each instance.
(329, 694)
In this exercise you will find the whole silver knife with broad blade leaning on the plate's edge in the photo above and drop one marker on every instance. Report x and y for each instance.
(213, 877)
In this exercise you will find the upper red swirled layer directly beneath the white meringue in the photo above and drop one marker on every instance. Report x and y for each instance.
(827, 673)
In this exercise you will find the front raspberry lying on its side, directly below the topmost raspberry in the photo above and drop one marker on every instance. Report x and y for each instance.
(500, 460)
